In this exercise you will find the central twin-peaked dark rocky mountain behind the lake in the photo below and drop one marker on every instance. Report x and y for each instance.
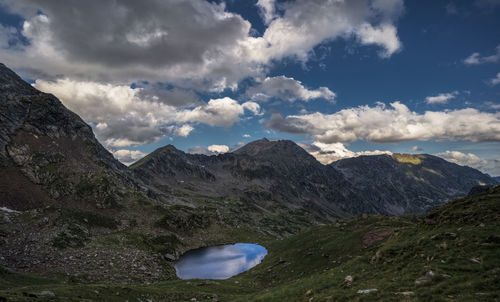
(268, 182)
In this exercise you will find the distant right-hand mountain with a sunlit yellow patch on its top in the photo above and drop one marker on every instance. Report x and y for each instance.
(404, 184)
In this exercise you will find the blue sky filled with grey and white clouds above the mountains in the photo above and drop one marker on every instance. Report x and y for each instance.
(340, 78)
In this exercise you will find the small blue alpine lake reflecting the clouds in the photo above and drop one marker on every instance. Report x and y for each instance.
(219, 262)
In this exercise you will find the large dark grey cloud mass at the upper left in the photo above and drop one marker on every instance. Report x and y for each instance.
(128, 32)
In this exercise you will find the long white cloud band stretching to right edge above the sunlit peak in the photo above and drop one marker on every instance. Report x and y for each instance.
(395, 123)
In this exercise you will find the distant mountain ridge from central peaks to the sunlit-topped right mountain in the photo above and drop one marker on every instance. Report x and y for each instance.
(421, 181)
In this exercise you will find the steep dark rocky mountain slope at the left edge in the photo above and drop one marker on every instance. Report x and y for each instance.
(48, 154)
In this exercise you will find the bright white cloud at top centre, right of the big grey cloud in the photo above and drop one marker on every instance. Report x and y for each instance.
(306, 24)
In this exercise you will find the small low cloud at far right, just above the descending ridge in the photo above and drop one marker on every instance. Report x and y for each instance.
(491, 166)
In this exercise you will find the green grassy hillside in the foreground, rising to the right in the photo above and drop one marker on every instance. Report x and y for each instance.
(450, 254)
